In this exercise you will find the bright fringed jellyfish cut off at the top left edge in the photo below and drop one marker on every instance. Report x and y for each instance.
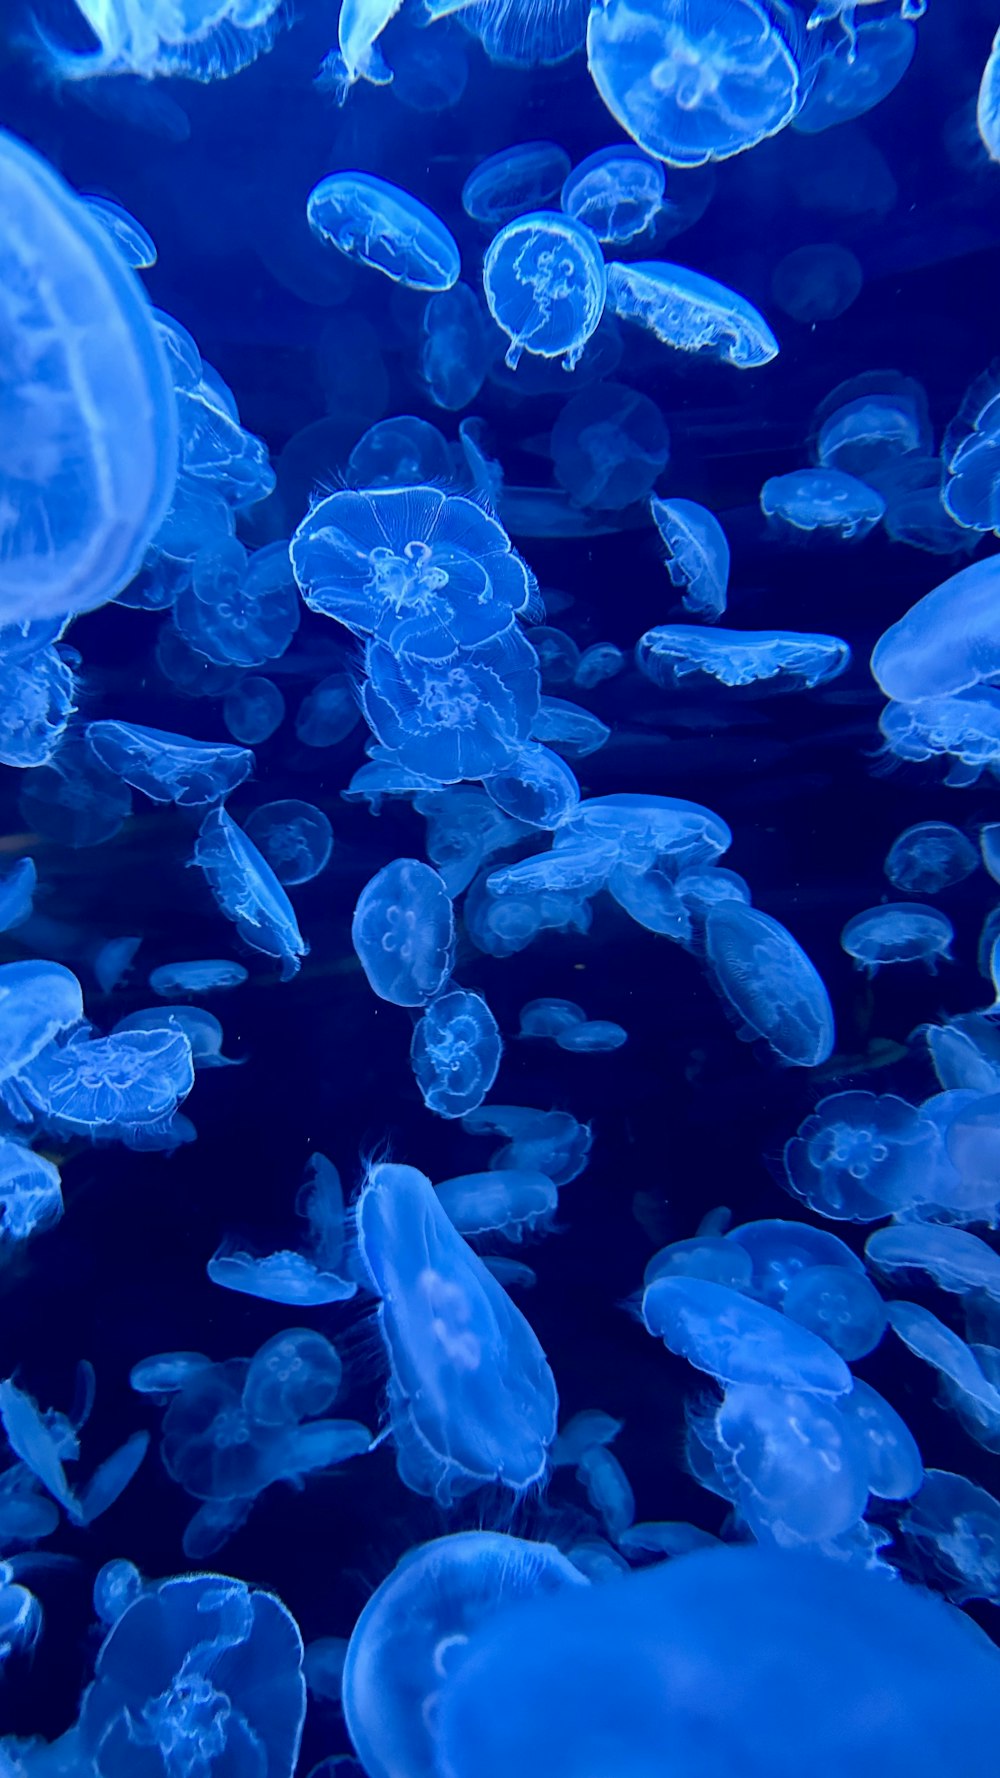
(209, 42)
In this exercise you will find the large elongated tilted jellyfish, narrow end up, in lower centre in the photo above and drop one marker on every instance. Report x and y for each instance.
(471, 1395)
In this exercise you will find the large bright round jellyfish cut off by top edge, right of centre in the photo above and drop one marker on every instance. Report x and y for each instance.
(690, 83)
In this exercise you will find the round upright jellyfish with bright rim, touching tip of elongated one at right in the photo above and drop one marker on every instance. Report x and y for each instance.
(545, 284)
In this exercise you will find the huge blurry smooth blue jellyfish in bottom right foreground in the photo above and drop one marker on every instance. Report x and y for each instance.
(738, 1662)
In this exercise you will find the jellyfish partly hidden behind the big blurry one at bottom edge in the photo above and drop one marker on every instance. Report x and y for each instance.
(417, 1630)
